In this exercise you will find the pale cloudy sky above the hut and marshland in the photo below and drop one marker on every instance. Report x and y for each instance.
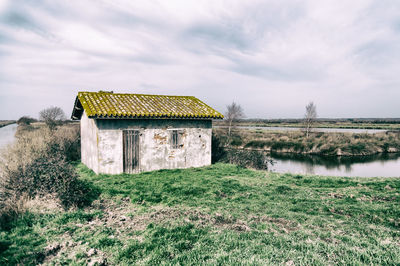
(270, 56)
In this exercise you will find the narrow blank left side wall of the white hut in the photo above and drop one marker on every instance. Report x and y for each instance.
(89, 139)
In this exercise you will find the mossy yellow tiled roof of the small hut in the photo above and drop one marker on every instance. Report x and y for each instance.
(120, 105)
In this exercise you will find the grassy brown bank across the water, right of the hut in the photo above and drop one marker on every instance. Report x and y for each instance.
(318, 143)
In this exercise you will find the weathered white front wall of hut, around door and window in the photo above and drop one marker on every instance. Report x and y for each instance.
(155, 147)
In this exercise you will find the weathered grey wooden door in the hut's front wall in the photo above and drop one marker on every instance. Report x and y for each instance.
(131, 151)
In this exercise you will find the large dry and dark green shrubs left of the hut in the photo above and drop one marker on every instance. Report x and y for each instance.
(38, 164)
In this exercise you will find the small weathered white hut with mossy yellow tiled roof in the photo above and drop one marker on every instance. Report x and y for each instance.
(131, 133)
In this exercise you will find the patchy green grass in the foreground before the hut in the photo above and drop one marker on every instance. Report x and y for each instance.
(219, 214)
